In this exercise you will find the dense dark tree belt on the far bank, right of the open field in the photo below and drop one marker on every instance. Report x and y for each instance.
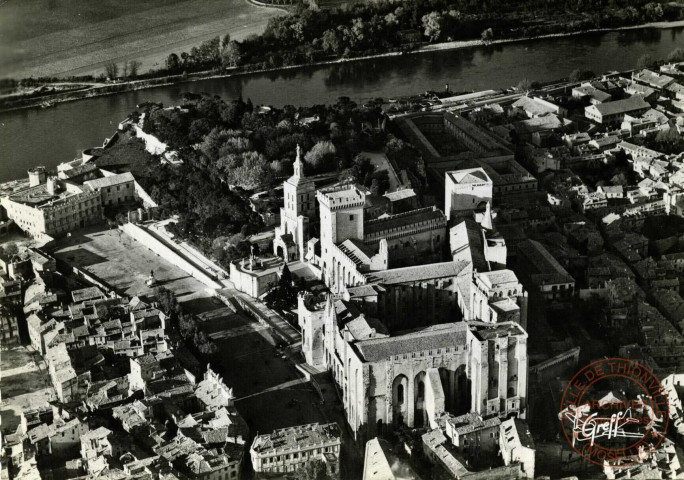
(309, 34)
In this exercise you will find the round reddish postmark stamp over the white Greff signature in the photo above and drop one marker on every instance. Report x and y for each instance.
(614, 412)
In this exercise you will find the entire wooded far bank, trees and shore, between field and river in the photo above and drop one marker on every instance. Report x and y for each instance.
(309, 34)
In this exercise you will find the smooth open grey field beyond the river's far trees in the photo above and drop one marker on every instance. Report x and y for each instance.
(78, 37)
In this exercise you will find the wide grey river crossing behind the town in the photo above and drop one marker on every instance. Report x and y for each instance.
(54, 135)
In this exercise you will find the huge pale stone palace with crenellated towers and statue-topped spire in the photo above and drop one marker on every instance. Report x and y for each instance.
(422, 319)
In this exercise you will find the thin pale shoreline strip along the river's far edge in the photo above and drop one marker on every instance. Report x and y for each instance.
(123, 87)
